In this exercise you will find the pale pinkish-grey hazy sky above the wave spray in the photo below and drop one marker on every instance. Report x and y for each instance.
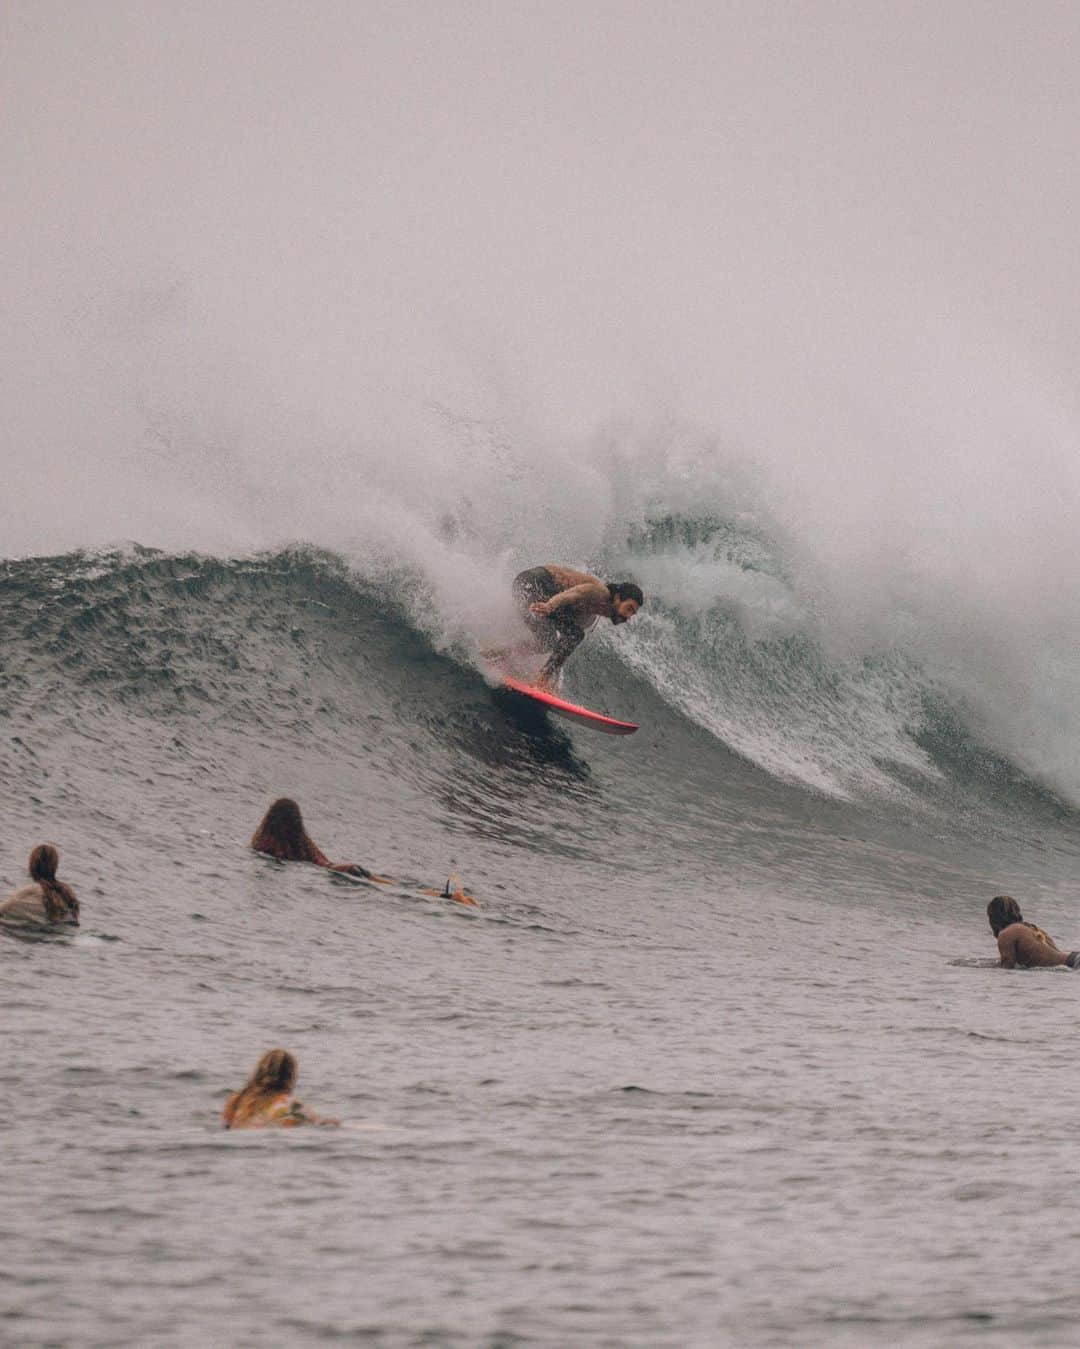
(260, 239)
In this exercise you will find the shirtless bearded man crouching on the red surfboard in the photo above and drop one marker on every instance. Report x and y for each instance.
(559, 605)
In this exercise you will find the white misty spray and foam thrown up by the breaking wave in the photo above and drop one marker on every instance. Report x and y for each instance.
(798, 627)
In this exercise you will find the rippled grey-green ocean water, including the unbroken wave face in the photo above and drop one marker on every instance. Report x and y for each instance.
(723, 1058)
